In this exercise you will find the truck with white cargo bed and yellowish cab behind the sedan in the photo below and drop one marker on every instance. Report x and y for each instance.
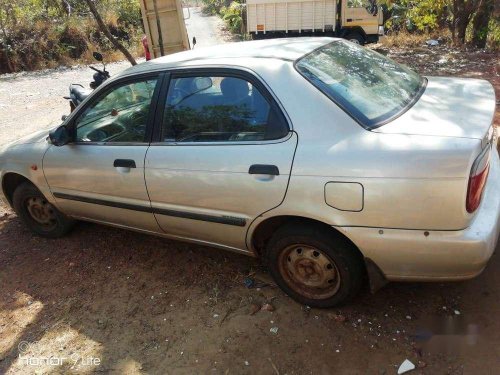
(360, 21)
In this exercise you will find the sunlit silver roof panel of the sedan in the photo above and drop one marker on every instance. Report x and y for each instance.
(289, 49)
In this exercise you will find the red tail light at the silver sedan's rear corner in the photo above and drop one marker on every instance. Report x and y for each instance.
(477, 180)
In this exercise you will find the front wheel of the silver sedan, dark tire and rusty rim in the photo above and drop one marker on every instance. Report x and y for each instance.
(38, 214)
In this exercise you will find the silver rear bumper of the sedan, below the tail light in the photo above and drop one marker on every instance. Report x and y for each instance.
(415, 255)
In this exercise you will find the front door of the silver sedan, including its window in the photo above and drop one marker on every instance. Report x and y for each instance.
(99, 176)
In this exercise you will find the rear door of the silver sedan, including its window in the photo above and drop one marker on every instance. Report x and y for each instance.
(222, 156)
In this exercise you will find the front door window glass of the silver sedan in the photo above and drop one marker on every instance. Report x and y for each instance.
(119, 116)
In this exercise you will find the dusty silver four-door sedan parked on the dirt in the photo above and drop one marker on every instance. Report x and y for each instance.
(326, 160)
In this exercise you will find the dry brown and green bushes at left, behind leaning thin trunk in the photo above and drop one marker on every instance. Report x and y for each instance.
(43, 33)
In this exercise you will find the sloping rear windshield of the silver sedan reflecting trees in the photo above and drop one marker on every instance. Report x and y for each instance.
(367, 85)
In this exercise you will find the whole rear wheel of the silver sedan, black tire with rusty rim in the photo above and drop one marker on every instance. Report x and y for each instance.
(314, 265)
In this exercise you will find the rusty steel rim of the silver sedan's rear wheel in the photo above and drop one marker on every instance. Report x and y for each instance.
(309, 271)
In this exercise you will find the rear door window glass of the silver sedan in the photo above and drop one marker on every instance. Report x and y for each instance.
(219, 109)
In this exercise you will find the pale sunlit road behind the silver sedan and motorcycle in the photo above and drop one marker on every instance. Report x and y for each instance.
(34, 100)
